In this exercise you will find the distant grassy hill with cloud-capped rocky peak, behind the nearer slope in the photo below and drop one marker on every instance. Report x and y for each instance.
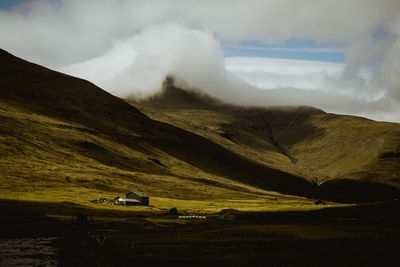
(303, 141)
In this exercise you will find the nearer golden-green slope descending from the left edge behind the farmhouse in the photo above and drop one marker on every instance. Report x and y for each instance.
(64, 139)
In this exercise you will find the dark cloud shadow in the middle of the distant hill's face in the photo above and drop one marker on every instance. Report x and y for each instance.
(280, 127)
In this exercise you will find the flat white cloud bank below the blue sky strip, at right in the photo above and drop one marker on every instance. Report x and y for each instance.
(313, 83)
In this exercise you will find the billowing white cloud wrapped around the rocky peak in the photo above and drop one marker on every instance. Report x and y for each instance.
(138, 65)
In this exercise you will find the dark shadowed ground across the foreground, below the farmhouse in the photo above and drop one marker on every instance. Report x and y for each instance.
(364, 235)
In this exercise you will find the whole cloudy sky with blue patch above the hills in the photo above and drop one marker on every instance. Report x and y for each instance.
(338, 55)
